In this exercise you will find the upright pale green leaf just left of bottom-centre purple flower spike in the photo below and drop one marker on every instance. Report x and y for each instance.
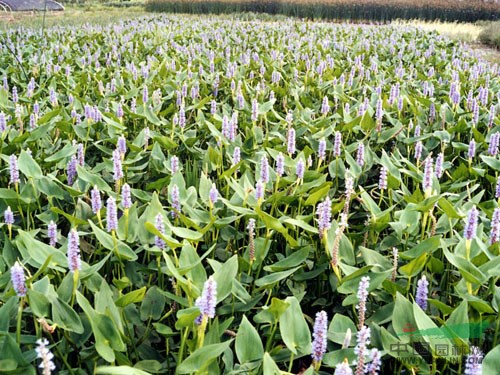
(294, 330)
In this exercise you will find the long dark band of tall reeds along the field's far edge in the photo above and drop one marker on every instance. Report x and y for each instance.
(361, 10)
